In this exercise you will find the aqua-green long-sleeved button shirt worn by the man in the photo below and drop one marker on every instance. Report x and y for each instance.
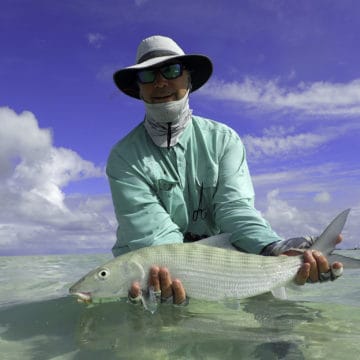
(200, 186)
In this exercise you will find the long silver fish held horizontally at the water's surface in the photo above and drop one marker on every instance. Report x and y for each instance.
(207, 272)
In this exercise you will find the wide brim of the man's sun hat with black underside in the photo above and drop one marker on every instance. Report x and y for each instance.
(200, 67)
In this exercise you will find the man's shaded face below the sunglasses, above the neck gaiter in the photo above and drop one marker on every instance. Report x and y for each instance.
(164, 90)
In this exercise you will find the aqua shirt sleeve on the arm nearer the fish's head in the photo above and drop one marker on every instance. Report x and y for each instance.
(142, 220)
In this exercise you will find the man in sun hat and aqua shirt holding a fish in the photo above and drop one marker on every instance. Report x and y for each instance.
(177, 177)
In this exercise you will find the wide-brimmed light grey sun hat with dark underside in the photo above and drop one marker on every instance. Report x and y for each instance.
(156, 50)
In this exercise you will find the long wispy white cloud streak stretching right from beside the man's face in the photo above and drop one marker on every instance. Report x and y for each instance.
(319, 98)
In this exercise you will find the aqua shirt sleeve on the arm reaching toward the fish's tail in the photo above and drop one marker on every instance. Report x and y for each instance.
(234, 202)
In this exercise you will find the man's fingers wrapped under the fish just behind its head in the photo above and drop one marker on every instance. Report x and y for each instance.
(172, 291)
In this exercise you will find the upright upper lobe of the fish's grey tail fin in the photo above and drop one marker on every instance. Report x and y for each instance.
(326, 242)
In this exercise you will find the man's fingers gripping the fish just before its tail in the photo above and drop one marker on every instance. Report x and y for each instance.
(315, 263)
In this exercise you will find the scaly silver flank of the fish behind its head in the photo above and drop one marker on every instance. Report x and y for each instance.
(233, 274)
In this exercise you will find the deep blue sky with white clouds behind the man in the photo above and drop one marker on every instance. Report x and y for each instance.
(286, 78)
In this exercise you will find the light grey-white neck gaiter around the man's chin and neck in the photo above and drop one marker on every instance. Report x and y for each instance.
(165, 122)
